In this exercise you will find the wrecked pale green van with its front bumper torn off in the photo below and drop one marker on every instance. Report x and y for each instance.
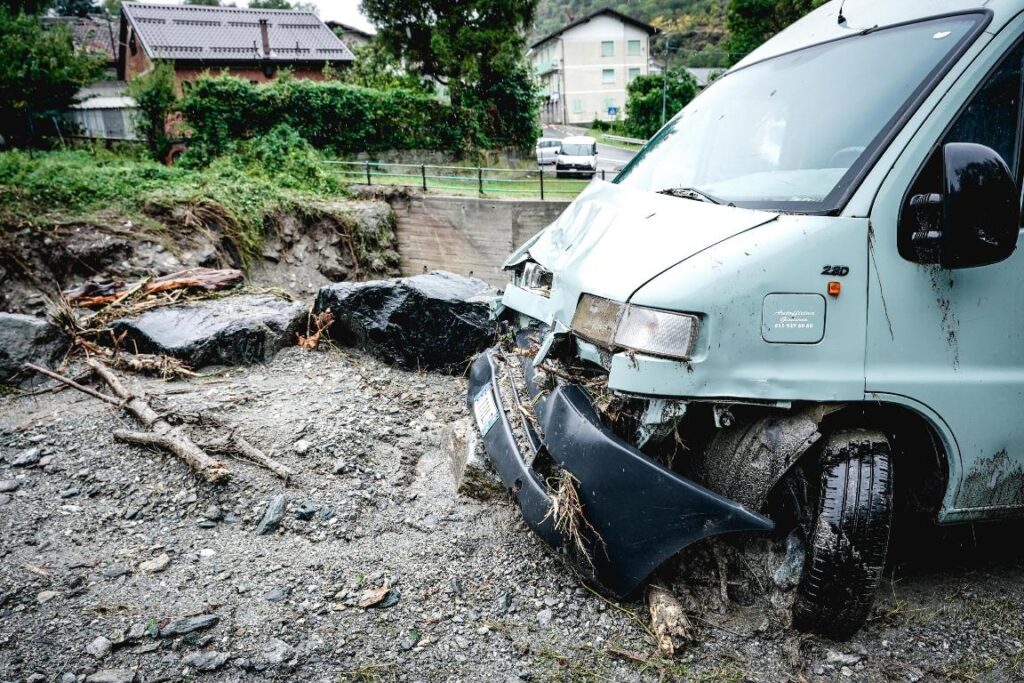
(799, 311)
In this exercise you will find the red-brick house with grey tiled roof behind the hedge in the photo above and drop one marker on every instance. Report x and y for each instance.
(253, 45)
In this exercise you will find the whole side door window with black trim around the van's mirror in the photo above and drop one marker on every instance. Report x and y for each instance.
(995, 118)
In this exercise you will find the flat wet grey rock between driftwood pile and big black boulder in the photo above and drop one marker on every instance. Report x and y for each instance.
(229, 331)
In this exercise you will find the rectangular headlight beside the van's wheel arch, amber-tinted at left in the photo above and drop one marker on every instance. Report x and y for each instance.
(612, 324)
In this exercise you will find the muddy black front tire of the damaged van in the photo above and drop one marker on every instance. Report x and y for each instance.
(847, 535)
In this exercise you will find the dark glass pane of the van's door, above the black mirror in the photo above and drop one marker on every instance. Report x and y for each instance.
(994, 117)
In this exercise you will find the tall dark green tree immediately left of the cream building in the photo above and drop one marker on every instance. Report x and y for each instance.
(459, 46)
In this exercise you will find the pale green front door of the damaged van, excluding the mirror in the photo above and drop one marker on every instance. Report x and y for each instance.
(951, 343)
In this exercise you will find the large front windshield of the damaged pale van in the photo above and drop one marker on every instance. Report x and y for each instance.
(792, 134)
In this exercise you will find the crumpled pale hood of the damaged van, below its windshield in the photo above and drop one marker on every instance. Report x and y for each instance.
(613, 240)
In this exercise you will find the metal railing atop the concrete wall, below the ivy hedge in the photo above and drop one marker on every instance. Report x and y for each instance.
(463, 180)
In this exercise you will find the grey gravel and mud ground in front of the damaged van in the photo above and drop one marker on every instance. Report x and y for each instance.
(116, 564)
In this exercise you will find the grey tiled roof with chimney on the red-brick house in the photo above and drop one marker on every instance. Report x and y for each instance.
(232, 34)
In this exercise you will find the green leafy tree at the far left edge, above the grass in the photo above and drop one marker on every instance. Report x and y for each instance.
(40, 72)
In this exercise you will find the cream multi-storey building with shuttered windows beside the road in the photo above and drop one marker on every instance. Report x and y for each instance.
(585, 67)
